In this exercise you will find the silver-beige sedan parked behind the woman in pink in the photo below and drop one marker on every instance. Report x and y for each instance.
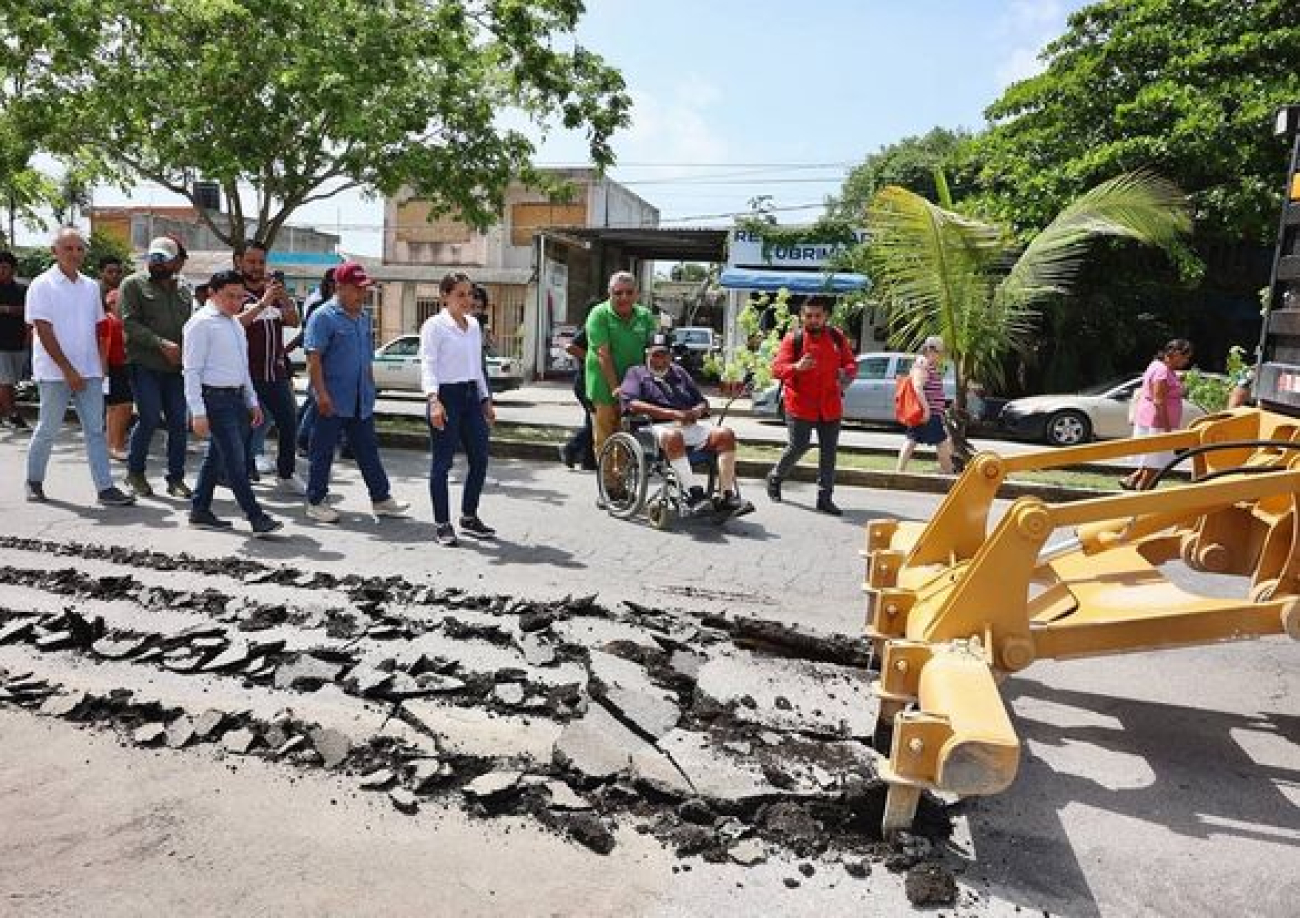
(1099, 413)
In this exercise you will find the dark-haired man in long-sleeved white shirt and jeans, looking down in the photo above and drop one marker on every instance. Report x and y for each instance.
(220, 397)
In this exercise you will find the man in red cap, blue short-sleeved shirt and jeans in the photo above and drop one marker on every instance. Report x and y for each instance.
(339, 343)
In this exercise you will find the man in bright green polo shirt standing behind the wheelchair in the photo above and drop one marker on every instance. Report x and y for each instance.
(618, 332)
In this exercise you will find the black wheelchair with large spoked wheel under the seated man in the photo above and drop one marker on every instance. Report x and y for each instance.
(634, 475)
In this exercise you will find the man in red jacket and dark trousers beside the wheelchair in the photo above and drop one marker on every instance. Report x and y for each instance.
(814, 365)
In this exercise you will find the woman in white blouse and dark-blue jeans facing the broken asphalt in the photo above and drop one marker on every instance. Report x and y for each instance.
(461, 410)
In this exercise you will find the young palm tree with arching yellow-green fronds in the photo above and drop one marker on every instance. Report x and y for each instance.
(970, 282)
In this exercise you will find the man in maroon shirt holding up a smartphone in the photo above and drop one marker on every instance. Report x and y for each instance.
(268, 310)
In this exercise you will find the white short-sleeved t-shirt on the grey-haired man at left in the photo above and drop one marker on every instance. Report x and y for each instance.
(75, 311)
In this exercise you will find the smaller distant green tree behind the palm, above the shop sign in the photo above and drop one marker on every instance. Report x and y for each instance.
(911, 164)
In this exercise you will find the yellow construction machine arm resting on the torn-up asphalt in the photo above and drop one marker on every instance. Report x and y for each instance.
(956, 605)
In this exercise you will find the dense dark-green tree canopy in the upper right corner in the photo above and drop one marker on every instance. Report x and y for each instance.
(1184, 88)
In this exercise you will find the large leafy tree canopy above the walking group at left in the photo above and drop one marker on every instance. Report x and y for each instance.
(287, 103)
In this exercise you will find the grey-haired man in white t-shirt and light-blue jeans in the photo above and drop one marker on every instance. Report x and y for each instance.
(67, 362)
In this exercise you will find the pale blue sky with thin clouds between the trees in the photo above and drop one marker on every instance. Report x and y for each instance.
(744, 98)
